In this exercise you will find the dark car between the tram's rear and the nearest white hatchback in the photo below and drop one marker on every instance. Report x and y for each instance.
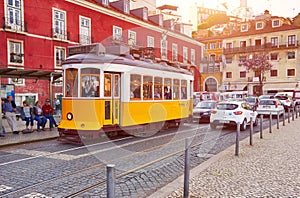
(202, 111)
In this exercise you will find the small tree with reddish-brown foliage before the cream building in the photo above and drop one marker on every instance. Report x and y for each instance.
(258, 63)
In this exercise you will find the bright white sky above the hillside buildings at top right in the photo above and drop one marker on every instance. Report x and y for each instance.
(284, 8)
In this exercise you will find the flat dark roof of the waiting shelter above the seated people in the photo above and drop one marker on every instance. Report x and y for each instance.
(31, 74)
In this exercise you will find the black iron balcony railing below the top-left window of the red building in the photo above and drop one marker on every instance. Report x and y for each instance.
(14, 25)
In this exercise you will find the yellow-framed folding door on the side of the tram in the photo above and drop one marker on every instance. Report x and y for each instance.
(112, 98)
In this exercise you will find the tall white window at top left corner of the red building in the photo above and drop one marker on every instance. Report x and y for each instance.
(14, 19)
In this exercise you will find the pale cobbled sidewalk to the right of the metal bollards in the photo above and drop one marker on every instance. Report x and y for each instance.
(269, 168)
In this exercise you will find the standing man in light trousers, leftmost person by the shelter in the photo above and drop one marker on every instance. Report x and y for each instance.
(9, 110)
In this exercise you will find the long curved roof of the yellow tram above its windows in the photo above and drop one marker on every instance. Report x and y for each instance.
(128, 60)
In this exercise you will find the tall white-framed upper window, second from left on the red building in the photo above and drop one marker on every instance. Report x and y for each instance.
(59, 24)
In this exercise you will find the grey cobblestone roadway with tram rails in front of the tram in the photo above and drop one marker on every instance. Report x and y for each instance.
(45, 175)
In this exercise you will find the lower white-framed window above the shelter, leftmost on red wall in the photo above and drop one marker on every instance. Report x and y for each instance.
(15, 52)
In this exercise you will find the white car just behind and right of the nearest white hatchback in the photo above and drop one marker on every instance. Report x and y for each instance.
(267, 106)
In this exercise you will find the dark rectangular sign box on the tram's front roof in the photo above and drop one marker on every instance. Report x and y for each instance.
(96, 48)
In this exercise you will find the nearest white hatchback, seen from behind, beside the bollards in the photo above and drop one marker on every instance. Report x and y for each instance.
(233, 112)
